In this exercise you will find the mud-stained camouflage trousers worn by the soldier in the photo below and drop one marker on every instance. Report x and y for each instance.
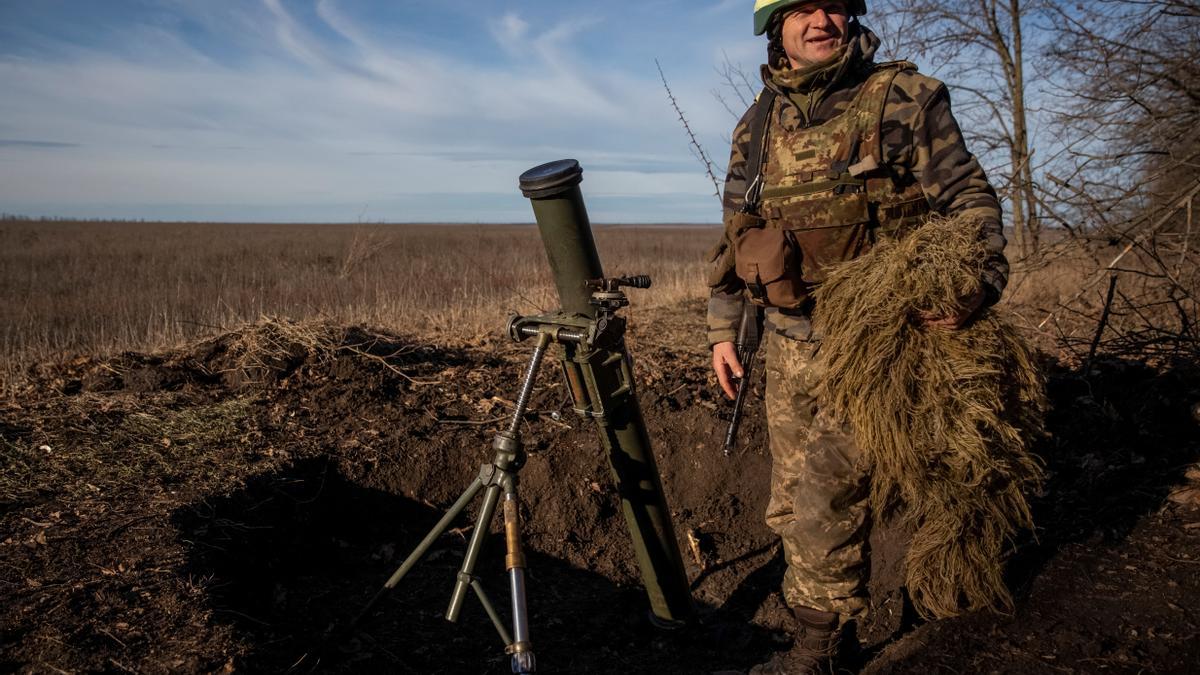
(818, 493)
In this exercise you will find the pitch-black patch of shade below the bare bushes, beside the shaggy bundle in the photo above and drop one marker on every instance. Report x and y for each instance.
(1119, 439)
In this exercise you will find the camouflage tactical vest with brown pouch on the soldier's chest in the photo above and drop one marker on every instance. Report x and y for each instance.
(819, 195)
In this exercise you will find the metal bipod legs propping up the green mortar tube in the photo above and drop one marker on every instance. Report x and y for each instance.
(501, 475)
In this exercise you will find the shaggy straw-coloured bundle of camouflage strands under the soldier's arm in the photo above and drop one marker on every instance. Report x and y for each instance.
(944, 417)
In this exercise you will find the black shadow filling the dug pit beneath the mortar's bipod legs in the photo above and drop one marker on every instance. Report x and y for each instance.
(293, 555)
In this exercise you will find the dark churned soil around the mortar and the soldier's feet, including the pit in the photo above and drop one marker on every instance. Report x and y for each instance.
(231, 506)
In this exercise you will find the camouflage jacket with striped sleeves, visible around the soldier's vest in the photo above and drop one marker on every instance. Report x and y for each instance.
(921, 141)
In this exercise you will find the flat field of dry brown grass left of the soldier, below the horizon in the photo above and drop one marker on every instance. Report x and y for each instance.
(97, 288)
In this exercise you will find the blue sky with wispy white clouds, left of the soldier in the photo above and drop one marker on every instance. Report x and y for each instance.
(349, 110)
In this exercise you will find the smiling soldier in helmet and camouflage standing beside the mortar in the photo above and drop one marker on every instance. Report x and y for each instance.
(836, 153)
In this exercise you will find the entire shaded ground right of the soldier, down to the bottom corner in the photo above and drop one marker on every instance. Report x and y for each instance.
(1120, 438)
